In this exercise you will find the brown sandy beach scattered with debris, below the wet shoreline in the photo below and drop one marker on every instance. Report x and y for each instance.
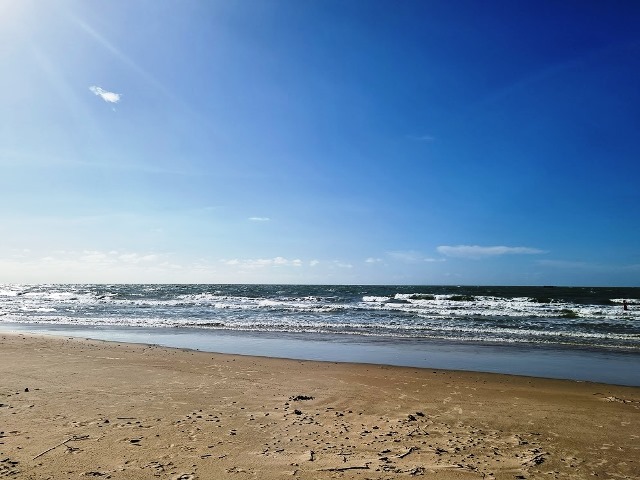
(74, 408)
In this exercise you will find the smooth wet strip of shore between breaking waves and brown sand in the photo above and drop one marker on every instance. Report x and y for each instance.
(615, 367)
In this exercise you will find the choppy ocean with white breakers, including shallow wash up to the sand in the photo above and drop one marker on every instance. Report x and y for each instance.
(581, 333)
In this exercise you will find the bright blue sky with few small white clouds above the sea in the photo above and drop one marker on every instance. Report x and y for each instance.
(320, 141)
